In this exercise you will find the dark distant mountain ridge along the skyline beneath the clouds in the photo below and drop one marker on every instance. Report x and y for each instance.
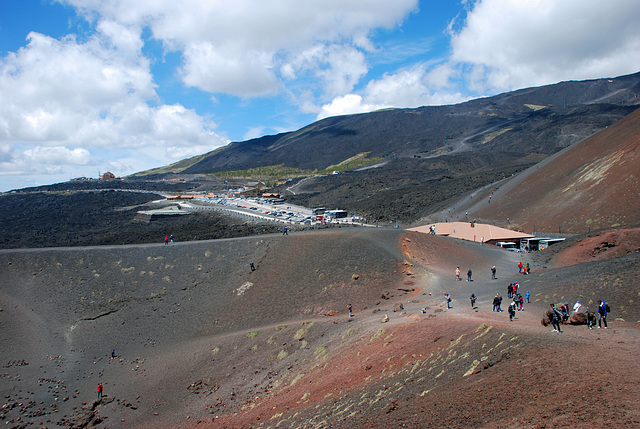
(539, 120)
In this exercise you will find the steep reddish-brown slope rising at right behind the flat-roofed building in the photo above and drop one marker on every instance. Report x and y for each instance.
(591, 185)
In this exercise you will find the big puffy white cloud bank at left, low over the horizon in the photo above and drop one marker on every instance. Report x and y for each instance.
(65, 105)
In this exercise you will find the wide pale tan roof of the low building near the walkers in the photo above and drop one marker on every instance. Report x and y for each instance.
(464, 231)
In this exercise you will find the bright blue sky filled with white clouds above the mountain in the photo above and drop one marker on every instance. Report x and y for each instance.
(89, 86)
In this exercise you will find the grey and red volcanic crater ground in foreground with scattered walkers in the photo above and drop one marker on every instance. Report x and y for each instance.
(201, 340)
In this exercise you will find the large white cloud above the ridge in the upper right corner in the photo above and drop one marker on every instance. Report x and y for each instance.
(514, 44)
